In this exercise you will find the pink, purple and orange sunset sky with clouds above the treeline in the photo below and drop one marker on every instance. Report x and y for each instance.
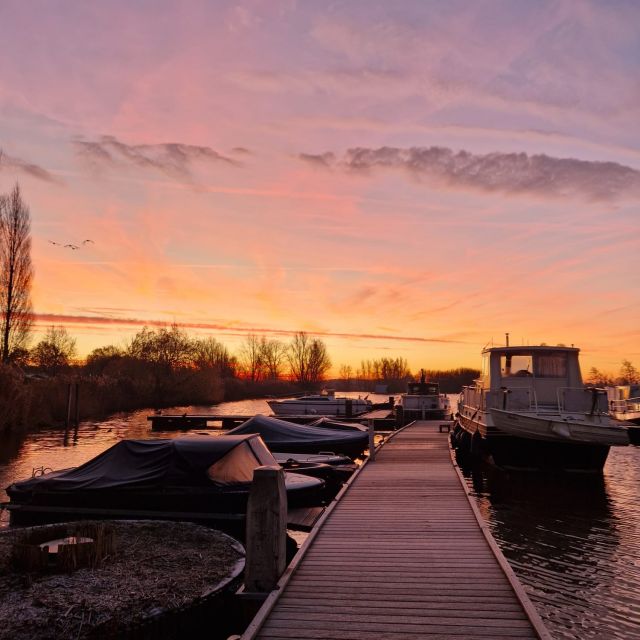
(409, 179)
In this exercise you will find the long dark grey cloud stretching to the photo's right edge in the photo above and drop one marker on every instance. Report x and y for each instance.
(515, 173)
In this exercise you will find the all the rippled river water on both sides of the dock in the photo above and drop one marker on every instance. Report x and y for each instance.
(573, 542)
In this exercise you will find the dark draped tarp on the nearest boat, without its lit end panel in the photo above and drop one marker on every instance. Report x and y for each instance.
(179, 461)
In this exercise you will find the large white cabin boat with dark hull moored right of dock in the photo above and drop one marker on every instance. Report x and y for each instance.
(531, 409)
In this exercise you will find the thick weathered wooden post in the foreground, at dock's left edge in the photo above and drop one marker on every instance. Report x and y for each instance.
(266, 530)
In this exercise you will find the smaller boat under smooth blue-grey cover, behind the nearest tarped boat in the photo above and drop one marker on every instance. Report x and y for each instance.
(283, 436)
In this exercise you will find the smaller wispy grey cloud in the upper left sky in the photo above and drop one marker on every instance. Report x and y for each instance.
(172, 158)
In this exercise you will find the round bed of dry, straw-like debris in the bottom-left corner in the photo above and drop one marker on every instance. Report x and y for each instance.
(157, 567)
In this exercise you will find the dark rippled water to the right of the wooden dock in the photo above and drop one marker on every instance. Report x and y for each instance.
(573, 541)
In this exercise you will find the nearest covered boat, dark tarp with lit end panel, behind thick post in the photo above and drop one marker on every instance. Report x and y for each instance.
(194, 478)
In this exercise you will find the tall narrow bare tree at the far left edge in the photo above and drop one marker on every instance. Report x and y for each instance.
(16, 273)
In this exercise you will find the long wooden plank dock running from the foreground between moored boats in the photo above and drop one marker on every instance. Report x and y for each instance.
(401, 554)
